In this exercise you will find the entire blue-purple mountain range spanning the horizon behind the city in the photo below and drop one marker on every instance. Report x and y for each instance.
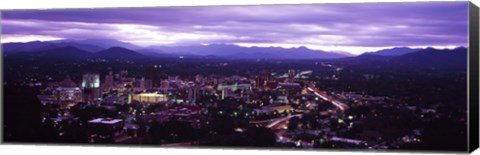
(112, 49)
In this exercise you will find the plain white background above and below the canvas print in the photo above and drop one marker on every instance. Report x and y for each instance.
(72, 150)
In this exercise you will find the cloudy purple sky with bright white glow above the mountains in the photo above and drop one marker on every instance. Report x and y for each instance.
(353, 28)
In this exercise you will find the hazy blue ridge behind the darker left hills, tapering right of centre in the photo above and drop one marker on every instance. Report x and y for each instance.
(212, 51)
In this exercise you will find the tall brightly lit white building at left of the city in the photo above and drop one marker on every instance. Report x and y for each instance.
(91, 87)
